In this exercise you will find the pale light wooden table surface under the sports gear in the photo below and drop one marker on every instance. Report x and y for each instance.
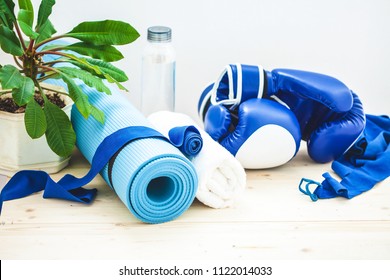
(271, 220)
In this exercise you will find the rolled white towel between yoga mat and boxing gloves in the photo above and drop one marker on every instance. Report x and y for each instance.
(221, 177)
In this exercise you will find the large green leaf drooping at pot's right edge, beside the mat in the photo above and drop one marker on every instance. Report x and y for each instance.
(59, 133)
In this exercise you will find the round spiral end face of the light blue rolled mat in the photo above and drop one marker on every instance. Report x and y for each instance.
(162, 190)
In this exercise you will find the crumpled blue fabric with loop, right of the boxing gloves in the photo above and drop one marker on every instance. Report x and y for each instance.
(365, 164)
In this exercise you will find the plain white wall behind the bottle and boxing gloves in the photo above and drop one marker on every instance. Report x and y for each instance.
(349, 40)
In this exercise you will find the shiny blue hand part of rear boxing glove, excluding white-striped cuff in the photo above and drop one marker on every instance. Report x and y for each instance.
(330, 115)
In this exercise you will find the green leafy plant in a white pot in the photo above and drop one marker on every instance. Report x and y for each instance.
(30, 42)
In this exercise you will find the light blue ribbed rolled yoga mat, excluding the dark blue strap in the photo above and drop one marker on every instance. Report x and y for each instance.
(151, 176)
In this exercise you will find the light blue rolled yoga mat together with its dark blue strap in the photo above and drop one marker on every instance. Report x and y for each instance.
(152, 177)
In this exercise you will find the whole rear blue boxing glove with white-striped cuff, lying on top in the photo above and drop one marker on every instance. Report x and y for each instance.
(330, 115)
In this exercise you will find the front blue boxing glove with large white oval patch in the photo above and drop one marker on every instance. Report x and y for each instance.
(260, 133)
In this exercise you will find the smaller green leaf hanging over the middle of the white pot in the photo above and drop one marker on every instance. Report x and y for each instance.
(35, 120)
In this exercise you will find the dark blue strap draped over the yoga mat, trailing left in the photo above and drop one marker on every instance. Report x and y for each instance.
(27, 182)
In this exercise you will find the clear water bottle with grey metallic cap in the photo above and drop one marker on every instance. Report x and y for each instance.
(158, 71)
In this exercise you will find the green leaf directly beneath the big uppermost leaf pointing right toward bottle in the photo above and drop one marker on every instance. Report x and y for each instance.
(103, 52)
